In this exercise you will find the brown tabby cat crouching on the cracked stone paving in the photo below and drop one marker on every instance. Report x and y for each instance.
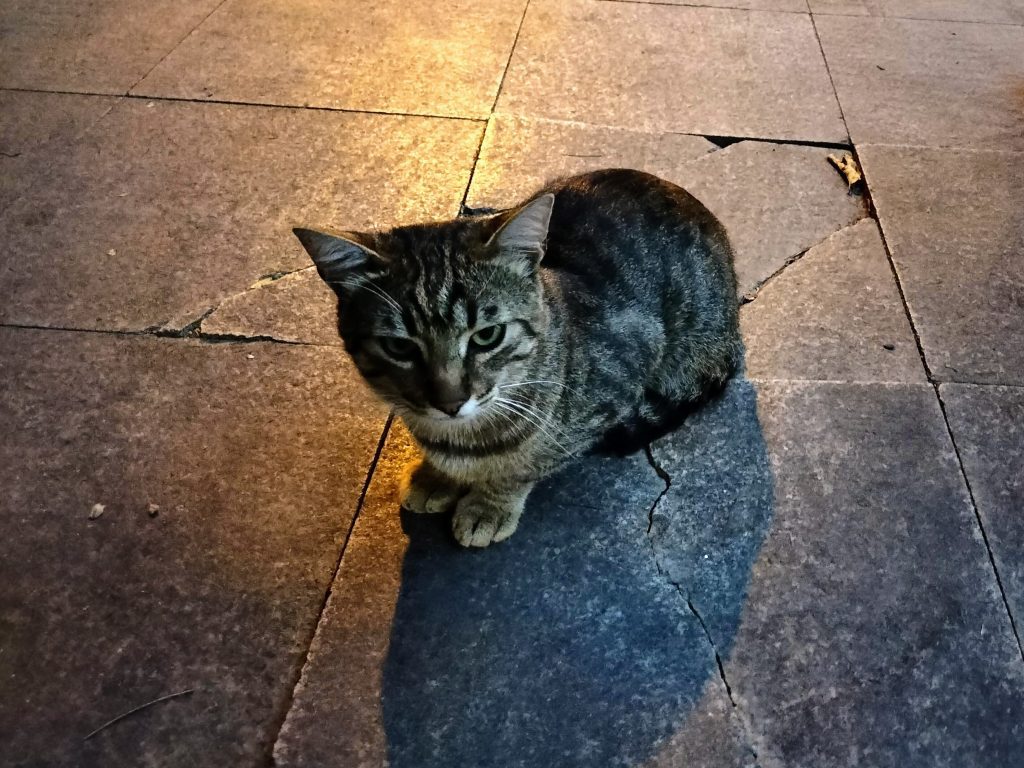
(593, 315)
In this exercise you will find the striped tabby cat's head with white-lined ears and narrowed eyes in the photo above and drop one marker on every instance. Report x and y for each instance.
(439, 317)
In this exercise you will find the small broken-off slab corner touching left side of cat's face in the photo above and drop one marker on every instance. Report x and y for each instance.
(300, 308)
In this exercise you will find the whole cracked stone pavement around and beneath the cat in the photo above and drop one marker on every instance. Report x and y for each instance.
(824, 569)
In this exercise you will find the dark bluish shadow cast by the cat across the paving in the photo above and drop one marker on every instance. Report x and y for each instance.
(566, 646)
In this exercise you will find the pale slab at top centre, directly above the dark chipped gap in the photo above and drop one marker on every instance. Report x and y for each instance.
(694, 70)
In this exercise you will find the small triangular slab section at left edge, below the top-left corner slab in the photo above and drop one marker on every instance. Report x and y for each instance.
(37, 131)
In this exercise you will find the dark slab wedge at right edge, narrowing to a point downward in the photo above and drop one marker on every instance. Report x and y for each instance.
(989, 426)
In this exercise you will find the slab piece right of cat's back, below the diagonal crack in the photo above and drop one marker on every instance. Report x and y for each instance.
(835, 315)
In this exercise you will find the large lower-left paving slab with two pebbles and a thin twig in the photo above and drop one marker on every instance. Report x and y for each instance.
(255, 456)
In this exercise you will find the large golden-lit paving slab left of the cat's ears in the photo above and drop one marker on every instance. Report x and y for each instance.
(160, 212)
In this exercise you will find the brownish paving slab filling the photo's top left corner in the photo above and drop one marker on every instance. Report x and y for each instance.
(99, 47)
